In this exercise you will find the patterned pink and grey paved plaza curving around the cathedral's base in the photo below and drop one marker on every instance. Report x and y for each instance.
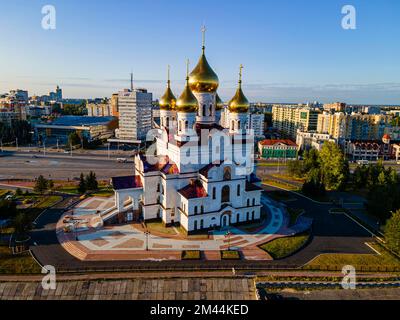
(126, 242)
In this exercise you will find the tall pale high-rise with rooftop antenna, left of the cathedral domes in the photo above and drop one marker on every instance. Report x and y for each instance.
(135, 116)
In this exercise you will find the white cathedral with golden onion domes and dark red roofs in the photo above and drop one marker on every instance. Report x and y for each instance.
(200, 175)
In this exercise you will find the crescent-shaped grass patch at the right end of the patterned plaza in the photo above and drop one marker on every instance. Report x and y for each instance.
(283, 247)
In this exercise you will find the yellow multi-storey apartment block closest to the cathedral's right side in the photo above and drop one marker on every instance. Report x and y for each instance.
(289, 119)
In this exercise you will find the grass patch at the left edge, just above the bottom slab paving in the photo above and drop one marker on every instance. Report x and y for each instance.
(17, 264)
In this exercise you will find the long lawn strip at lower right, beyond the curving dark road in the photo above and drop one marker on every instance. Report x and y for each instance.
(330, 261)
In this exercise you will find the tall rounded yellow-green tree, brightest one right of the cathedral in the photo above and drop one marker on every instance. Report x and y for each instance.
(334, 166)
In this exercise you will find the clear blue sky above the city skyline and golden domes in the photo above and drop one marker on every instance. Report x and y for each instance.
(291, 50)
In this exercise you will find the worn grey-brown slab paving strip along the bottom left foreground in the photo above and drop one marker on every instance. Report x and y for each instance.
(134, 289)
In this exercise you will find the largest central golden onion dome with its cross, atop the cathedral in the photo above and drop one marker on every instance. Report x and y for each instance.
(203, 78)
